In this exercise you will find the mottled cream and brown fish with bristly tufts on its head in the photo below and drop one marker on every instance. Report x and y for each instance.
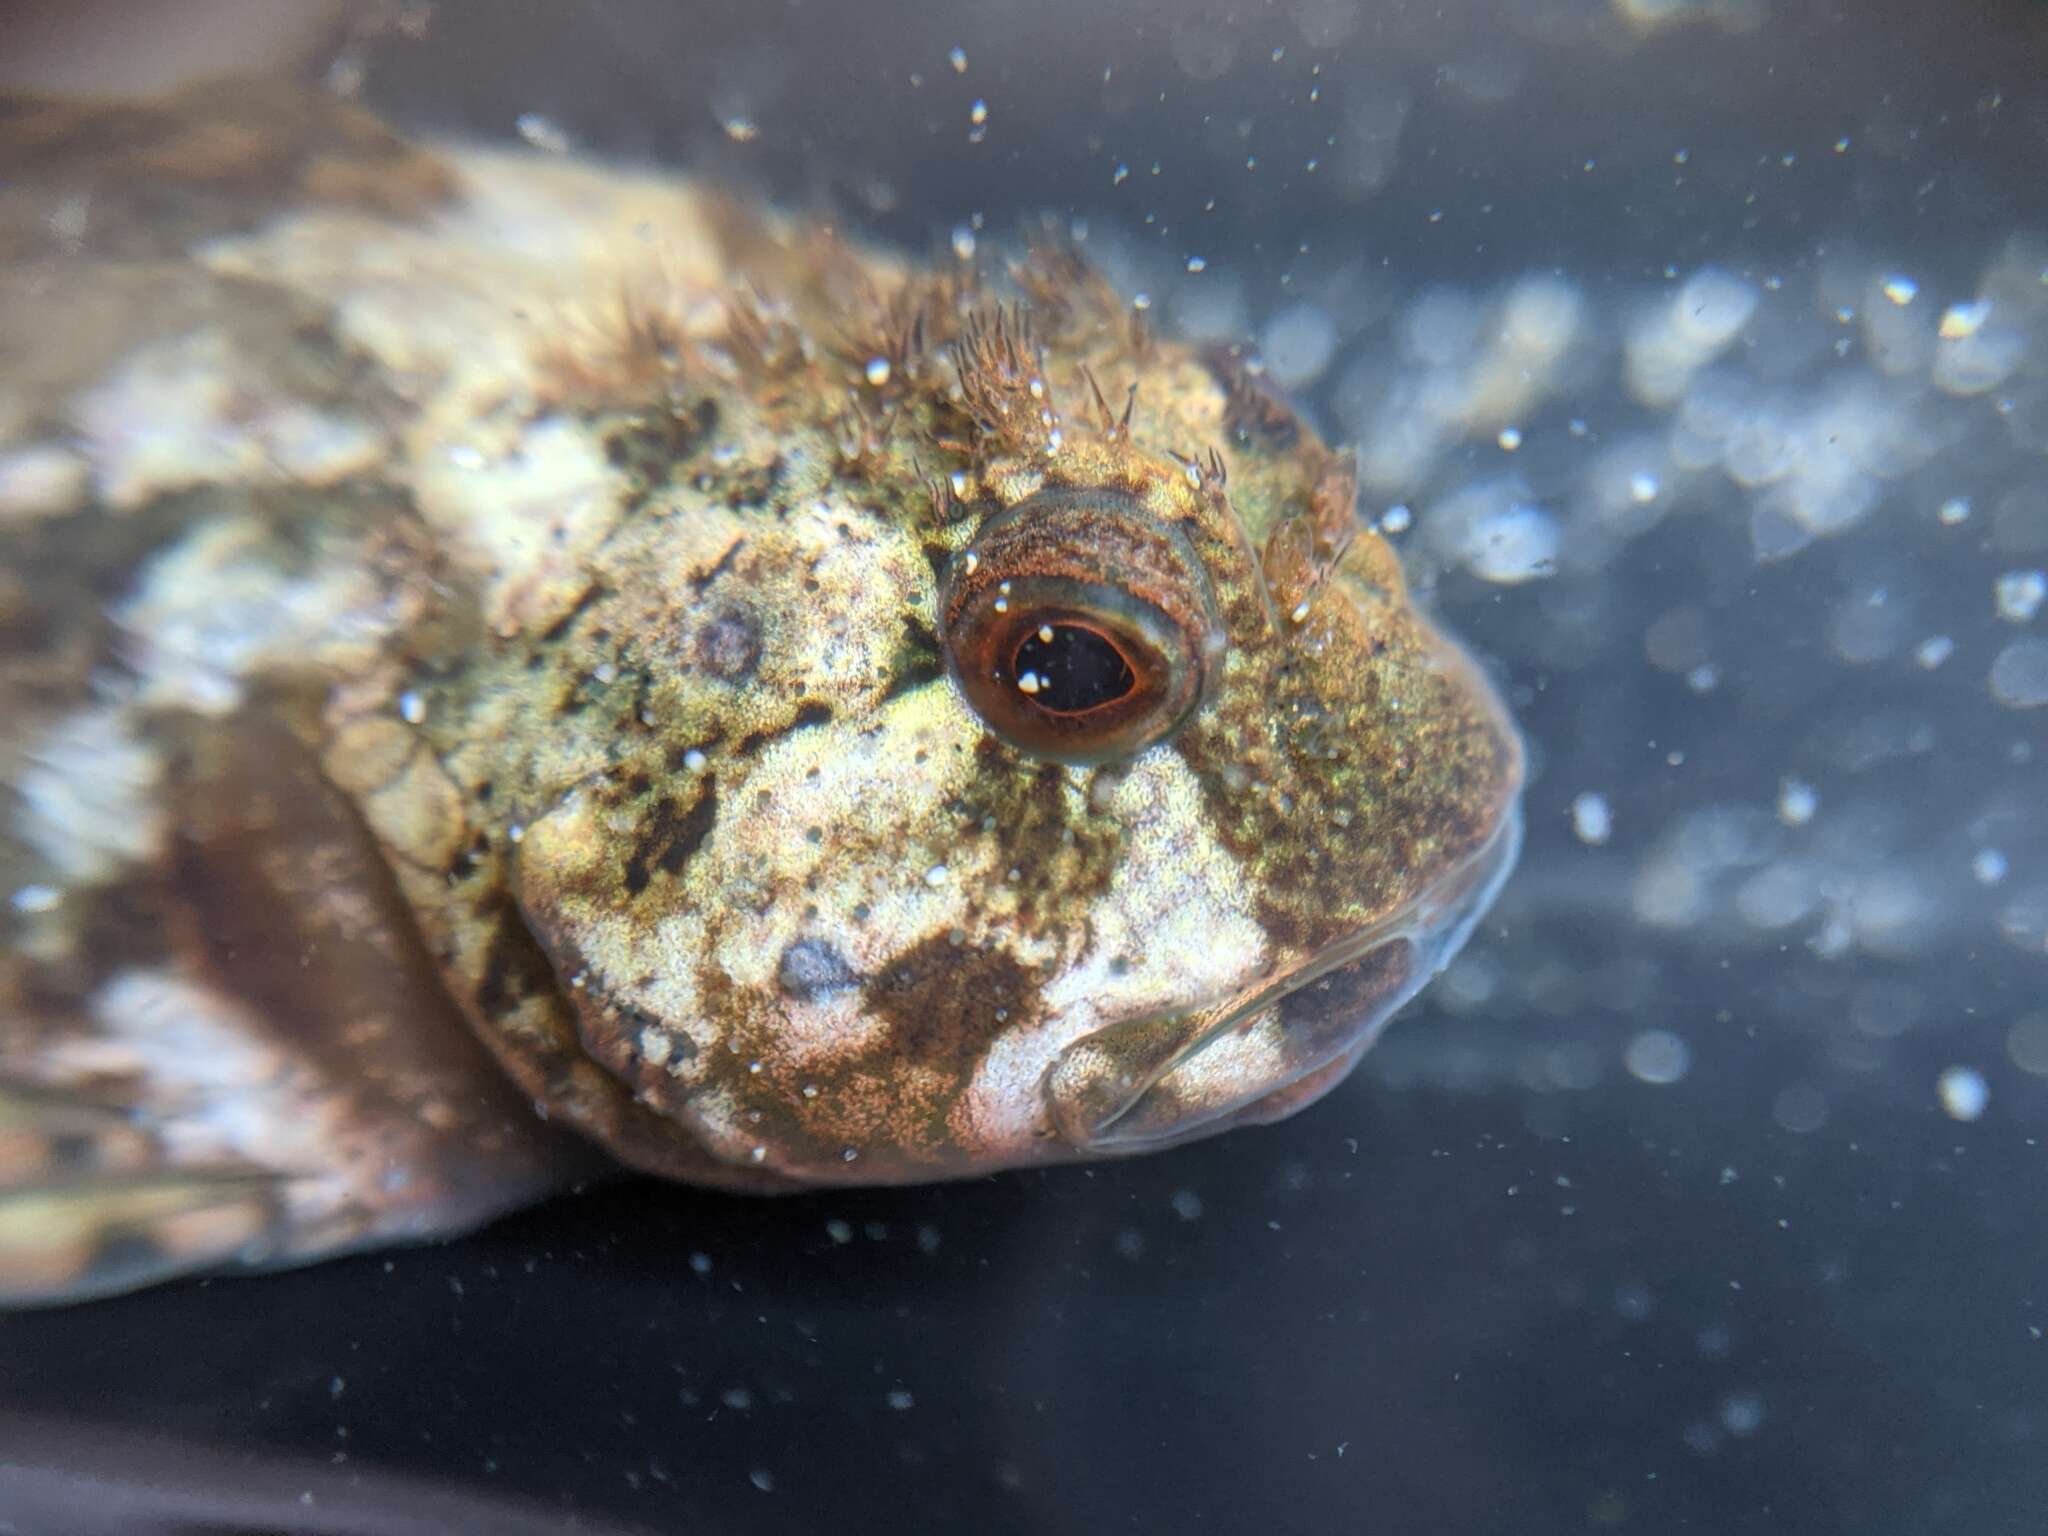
(505, 658)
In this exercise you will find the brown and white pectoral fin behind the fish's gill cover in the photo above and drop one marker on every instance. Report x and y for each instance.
(267, 1076)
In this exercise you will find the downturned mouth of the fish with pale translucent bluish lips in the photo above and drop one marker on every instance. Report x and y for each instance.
(1281, 1043)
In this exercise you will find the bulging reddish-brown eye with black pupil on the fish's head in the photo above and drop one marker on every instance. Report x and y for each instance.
(1080, 628)
